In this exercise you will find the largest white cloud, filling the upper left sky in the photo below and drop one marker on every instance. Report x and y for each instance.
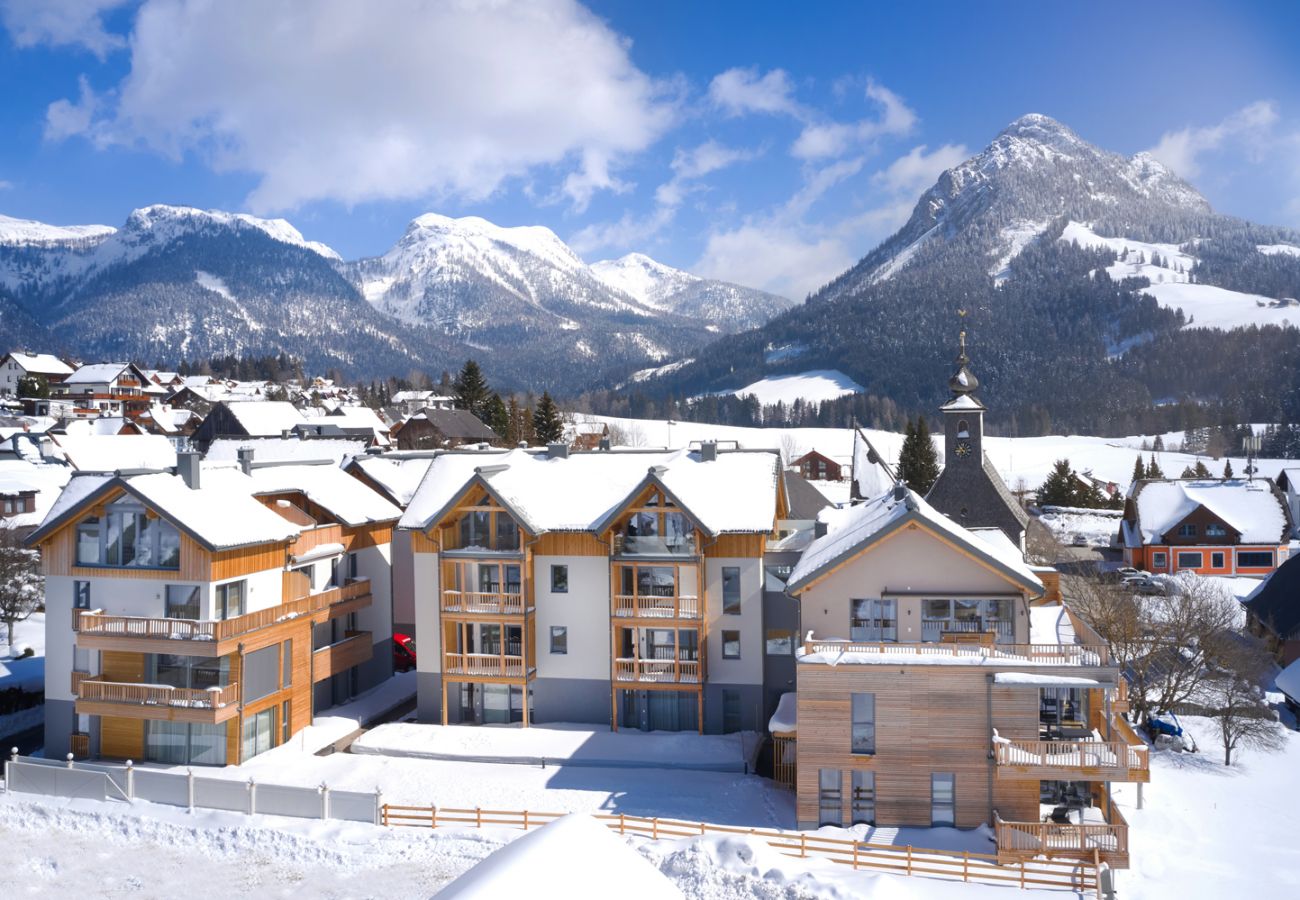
(363, 102)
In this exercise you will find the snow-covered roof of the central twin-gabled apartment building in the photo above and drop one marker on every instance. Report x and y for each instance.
(736, 492)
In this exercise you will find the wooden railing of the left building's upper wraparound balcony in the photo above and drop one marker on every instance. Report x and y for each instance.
(94, 624)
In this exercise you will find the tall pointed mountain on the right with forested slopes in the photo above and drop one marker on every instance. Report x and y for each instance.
(1097, 288)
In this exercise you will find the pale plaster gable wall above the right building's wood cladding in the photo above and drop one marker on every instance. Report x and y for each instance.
(909, 562)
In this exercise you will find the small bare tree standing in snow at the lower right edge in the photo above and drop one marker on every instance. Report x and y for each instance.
(1237, 699)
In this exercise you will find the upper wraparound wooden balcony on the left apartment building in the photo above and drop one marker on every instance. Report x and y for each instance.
(206, 638)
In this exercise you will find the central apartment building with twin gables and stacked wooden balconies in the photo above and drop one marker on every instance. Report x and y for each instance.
(613, 587)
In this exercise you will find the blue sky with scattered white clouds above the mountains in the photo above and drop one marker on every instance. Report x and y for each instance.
(769, 144)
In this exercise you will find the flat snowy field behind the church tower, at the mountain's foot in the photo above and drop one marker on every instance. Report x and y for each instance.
(1029, 458)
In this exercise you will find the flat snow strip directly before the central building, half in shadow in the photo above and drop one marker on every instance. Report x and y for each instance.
(562, 745)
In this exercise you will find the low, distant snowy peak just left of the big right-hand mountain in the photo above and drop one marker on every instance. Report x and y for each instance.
(726, 306)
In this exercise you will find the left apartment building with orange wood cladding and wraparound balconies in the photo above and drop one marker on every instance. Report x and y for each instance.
(202, 616)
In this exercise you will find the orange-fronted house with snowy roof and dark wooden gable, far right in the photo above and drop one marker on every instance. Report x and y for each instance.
(1206, 526)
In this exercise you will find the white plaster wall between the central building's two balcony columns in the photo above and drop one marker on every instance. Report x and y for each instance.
(584, 611)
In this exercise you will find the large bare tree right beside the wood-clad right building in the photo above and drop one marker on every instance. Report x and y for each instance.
(1168, 647)
